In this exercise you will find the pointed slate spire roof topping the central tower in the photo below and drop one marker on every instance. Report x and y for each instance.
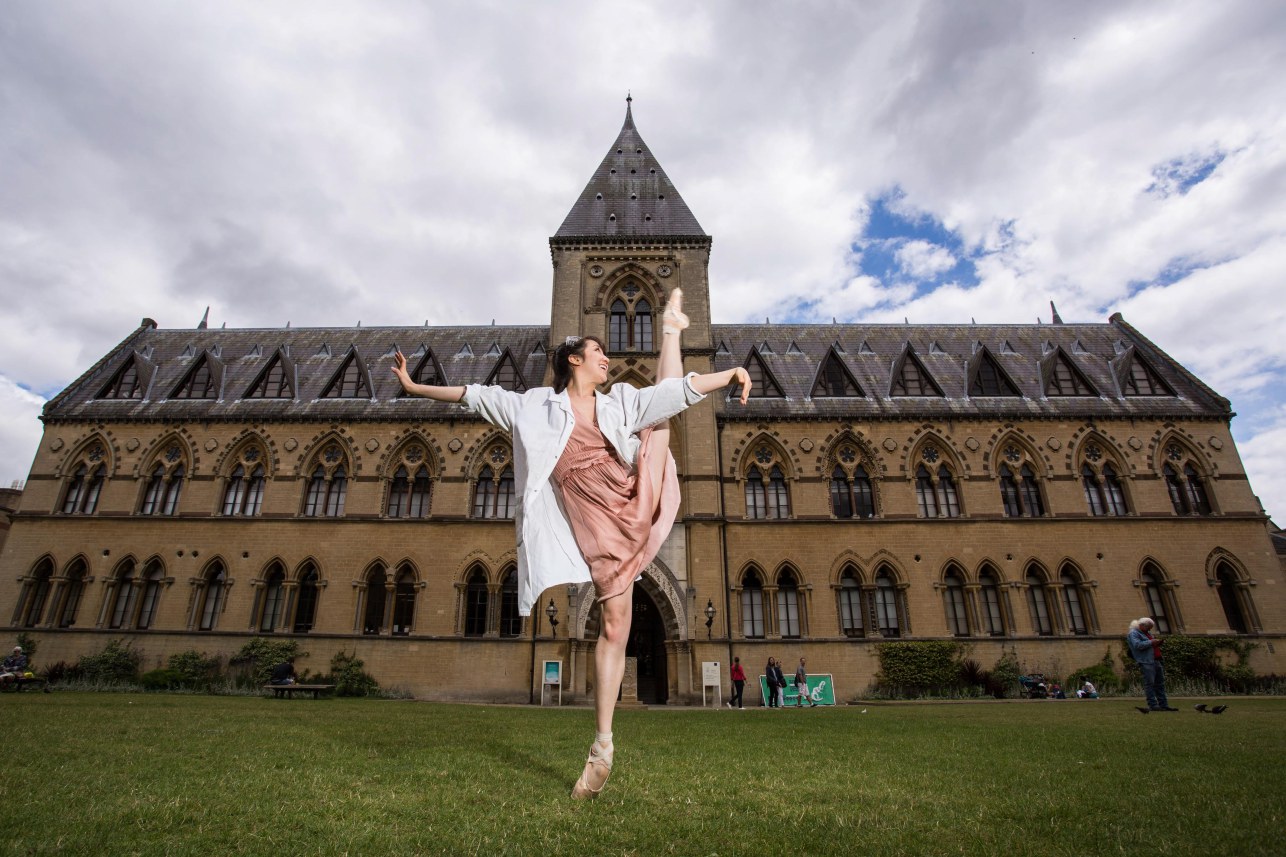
(629, 196)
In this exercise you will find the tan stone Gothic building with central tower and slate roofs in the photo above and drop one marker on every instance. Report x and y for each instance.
(1026, 488)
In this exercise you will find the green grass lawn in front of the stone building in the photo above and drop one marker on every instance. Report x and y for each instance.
(109, 774)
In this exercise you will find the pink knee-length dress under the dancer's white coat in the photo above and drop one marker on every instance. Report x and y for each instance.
(610, 506)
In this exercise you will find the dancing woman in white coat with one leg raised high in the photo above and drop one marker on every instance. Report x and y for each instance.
(597, 487)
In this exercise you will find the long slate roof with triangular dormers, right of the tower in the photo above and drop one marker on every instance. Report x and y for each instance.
(950, 353)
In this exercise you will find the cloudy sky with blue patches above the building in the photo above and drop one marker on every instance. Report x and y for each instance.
(399, 163)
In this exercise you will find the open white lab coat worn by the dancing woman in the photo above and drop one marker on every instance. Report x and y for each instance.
(541, 424)
